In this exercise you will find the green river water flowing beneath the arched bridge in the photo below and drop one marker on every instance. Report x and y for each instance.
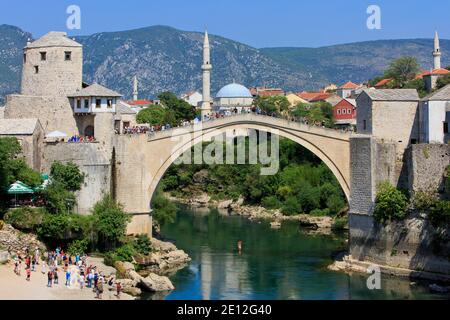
(274, 264)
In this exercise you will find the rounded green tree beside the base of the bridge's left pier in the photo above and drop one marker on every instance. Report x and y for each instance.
(110, 222)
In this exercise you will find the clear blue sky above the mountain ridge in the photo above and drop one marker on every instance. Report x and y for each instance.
(260, 23)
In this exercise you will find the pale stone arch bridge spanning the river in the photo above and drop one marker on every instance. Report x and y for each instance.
(140, 161)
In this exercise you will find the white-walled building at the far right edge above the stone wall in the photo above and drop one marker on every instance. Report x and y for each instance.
(435, 117)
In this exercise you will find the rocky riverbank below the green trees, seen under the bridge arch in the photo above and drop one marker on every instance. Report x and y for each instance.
(311, 224)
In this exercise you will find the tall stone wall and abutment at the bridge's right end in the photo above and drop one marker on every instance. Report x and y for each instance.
(408, 244)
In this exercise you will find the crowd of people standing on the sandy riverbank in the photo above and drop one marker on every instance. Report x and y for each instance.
(76, 272)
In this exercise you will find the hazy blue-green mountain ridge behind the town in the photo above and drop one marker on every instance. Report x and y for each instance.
(166, 58)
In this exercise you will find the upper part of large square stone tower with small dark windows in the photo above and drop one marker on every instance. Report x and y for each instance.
(52, 66)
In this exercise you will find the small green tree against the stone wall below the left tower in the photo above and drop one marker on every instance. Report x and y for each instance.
(68, 175)
